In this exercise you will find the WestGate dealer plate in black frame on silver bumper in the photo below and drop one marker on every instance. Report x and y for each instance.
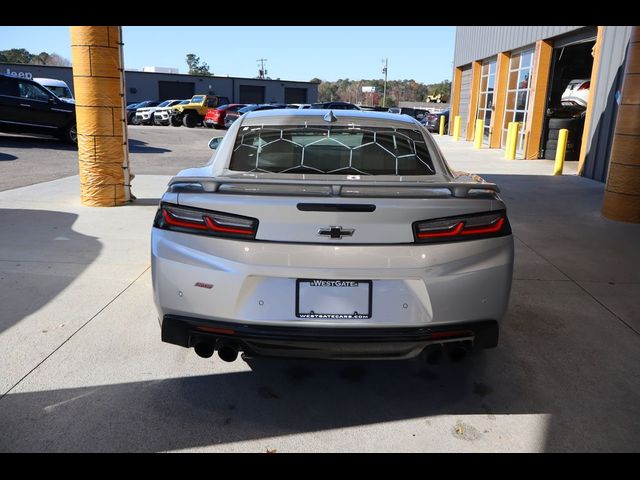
(347, 299)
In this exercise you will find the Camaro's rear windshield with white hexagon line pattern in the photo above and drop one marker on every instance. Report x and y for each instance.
(331, 150)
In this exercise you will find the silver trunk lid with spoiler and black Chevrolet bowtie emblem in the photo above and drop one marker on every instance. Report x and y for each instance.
(334, 211)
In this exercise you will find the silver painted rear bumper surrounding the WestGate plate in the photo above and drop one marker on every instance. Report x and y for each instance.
(254, 282)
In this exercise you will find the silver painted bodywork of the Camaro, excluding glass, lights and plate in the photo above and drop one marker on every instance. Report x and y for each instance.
(254, 282)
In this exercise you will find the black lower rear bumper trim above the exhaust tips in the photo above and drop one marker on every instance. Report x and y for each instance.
(332, 343)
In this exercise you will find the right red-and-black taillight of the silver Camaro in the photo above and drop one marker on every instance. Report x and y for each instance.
(465, 227)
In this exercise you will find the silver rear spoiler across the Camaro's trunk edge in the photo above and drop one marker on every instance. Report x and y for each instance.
(319, 188)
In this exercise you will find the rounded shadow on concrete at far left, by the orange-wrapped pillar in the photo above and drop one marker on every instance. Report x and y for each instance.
(40, 255)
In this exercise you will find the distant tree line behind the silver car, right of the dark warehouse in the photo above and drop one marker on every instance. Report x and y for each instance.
(346, 90)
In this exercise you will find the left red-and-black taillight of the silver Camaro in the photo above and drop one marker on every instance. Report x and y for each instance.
(205, 222)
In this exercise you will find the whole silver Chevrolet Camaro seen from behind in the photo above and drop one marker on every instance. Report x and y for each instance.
(330, 234)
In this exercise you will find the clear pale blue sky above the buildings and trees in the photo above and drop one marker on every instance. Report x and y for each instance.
(424, 54)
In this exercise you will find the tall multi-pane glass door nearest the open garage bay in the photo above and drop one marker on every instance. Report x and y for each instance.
(518, 89)
